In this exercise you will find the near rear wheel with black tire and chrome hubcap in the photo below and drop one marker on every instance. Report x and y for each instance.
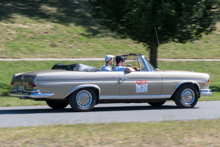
(83, 100)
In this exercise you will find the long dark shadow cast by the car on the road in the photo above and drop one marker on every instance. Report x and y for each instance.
(96, 109)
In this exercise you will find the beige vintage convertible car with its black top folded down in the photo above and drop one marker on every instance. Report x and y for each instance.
(84, 86)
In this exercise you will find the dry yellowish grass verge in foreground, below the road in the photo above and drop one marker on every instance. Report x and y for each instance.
(200, 133)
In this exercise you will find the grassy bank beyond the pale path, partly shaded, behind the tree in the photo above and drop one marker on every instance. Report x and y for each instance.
(54, 29)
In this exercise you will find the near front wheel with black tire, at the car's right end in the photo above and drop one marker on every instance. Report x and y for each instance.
(186, 96)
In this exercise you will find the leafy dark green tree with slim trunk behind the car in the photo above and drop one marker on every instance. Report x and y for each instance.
(175, 20)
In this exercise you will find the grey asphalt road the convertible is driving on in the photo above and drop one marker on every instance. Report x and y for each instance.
(106, 113)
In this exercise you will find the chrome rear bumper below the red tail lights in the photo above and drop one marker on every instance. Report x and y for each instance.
(29, 94)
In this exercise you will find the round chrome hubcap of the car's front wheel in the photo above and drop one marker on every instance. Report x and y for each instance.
(188, 96)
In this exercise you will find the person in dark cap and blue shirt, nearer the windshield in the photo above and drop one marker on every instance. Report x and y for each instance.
(120, 61)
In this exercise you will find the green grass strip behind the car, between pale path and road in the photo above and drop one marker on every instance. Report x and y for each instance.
(7, 69)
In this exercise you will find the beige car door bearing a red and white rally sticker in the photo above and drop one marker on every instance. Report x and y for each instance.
(140, 83)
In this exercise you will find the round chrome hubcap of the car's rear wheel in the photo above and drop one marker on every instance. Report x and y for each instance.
(84, 98)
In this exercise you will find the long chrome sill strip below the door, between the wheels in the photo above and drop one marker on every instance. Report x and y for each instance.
(127, 97)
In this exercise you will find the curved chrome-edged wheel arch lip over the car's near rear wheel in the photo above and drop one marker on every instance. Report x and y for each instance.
(96, 88)
